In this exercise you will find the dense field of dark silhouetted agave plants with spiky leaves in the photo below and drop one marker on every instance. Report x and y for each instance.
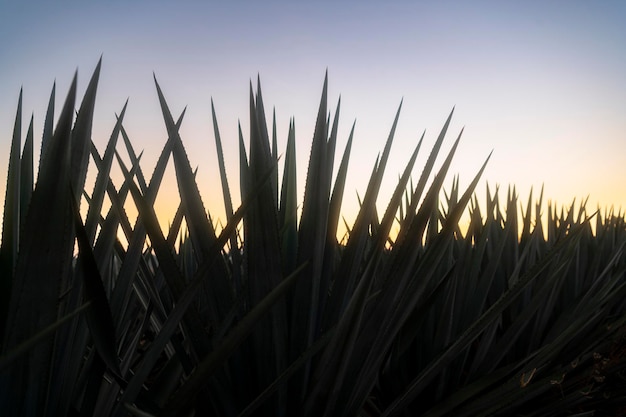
(520, 314)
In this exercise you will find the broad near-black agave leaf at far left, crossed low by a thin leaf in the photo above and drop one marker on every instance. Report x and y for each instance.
(34, 297)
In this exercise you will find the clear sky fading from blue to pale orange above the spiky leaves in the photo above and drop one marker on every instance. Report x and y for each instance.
(541, 84)
